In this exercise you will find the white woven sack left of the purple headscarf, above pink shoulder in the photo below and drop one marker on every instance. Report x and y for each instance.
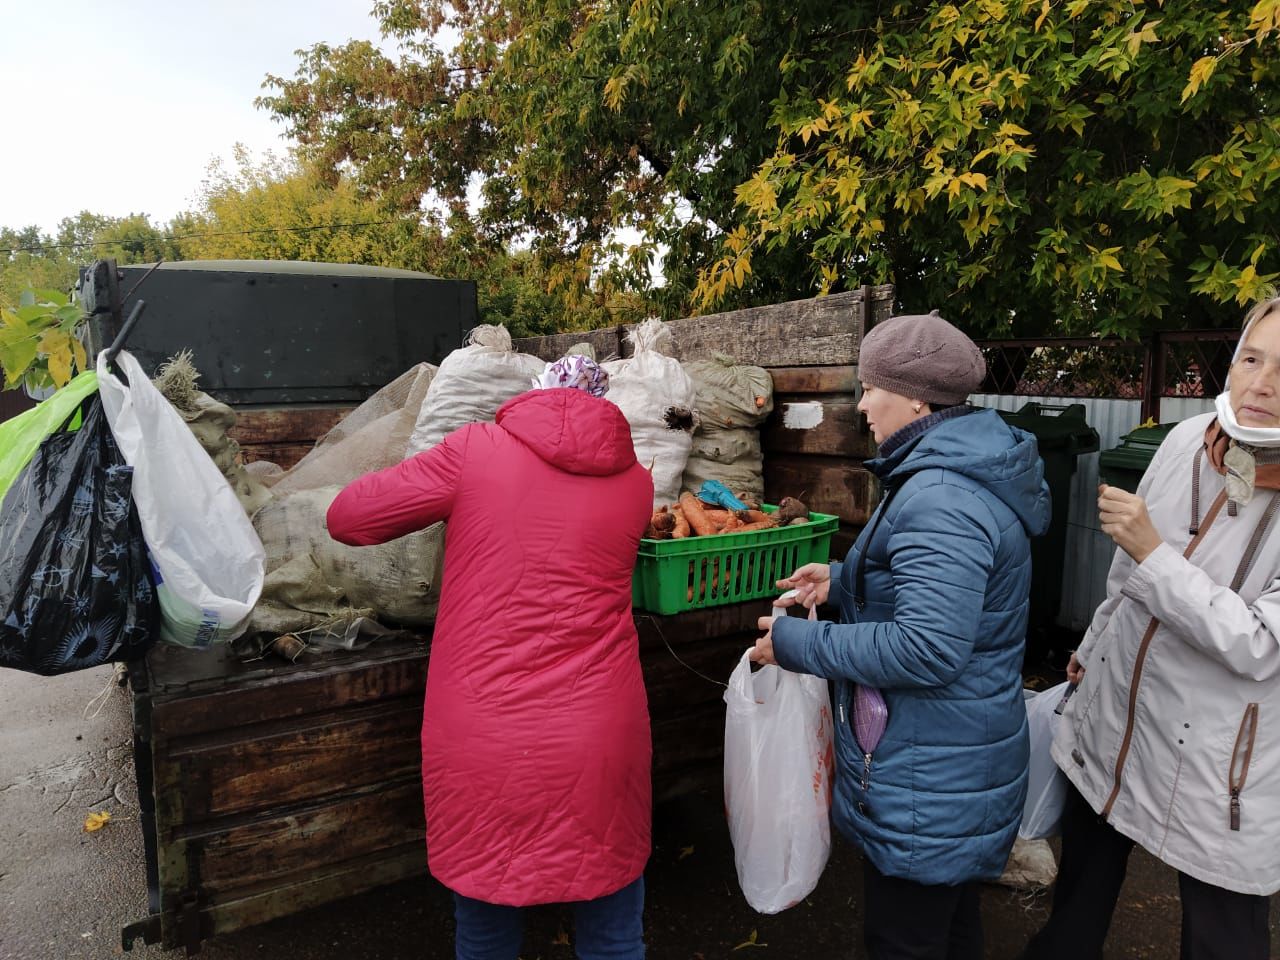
(470, 386)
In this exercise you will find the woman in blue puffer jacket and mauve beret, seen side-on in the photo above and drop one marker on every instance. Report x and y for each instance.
(934, 602)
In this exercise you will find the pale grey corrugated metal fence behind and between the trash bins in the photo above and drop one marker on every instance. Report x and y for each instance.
(1089, 550)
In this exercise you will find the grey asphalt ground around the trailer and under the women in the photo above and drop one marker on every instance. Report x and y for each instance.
(65, 894)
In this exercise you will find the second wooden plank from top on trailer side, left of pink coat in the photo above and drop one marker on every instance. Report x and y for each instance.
(246, 771)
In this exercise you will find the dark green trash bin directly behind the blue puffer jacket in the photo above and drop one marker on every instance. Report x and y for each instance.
(1062, 436)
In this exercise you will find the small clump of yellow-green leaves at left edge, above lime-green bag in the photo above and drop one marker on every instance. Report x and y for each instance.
(39, 341)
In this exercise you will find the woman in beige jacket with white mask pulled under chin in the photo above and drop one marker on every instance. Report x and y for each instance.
(1173, 737)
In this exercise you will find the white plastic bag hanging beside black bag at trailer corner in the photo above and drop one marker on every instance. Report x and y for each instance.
(205, 557)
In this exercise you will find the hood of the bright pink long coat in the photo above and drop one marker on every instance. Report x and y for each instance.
(572, 431)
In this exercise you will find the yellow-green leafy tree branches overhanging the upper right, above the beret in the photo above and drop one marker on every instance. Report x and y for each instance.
(1034, 167)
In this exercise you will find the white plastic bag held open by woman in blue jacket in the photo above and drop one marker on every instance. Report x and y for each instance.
(779, 761)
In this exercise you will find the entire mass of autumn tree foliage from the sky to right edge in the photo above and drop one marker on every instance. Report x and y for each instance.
(1027, 166)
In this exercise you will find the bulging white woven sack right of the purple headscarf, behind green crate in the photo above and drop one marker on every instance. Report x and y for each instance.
(646, 387)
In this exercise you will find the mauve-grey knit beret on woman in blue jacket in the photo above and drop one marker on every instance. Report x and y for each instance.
(922, 358)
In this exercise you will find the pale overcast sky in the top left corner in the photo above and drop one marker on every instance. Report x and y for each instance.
(118, 108)
